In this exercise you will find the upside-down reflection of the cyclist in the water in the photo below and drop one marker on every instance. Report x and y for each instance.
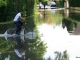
(18, 46)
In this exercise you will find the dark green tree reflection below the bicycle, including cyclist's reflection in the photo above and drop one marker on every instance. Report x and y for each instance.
(33, 49)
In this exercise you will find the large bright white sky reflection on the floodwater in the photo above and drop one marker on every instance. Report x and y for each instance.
(58, 39)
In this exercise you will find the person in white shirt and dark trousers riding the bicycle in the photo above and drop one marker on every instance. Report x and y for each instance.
(18, 21)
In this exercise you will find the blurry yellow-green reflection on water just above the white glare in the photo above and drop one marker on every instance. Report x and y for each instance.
(49, 17)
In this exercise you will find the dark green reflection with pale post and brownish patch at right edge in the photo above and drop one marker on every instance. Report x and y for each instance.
(71, 21)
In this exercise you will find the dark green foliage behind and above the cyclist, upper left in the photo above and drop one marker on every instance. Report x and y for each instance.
(9, 8)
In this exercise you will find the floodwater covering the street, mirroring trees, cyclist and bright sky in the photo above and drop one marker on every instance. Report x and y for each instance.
(56, 29)
